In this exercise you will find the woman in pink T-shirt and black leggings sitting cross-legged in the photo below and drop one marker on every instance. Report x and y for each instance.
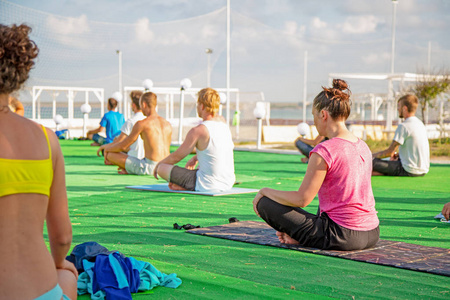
(339, 171)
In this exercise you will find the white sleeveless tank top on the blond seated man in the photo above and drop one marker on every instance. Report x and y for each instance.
(216, 162)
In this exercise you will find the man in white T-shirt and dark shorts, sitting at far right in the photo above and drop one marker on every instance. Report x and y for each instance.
(413, 157)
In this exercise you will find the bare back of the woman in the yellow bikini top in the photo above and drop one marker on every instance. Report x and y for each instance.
(22, 215)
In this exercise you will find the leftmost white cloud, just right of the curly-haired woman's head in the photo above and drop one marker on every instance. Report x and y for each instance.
(68, 26)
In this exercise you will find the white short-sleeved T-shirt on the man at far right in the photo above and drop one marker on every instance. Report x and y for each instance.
(414, 149)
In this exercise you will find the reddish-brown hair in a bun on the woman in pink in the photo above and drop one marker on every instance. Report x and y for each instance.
(335, 100)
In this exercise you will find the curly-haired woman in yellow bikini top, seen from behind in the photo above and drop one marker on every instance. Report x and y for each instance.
(32, 189)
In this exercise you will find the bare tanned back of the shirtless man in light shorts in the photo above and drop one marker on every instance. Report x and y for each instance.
(157, 135)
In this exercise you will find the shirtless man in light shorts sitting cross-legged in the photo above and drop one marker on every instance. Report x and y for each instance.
(156, 133)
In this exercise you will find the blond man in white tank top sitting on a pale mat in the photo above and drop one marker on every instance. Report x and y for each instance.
(214, 144)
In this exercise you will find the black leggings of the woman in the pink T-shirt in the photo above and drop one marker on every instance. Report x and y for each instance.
(312, 230)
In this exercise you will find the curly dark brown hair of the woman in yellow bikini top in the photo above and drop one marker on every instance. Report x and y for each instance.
(17, 52)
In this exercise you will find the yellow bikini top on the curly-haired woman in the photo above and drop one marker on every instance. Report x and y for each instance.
(22, 176)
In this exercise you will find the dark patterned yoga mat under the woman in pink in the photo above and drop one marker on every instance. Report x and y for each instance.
(389, 253)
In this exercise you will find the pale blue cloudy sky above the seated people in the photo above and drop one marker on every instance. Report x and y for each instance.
(165, 40)
